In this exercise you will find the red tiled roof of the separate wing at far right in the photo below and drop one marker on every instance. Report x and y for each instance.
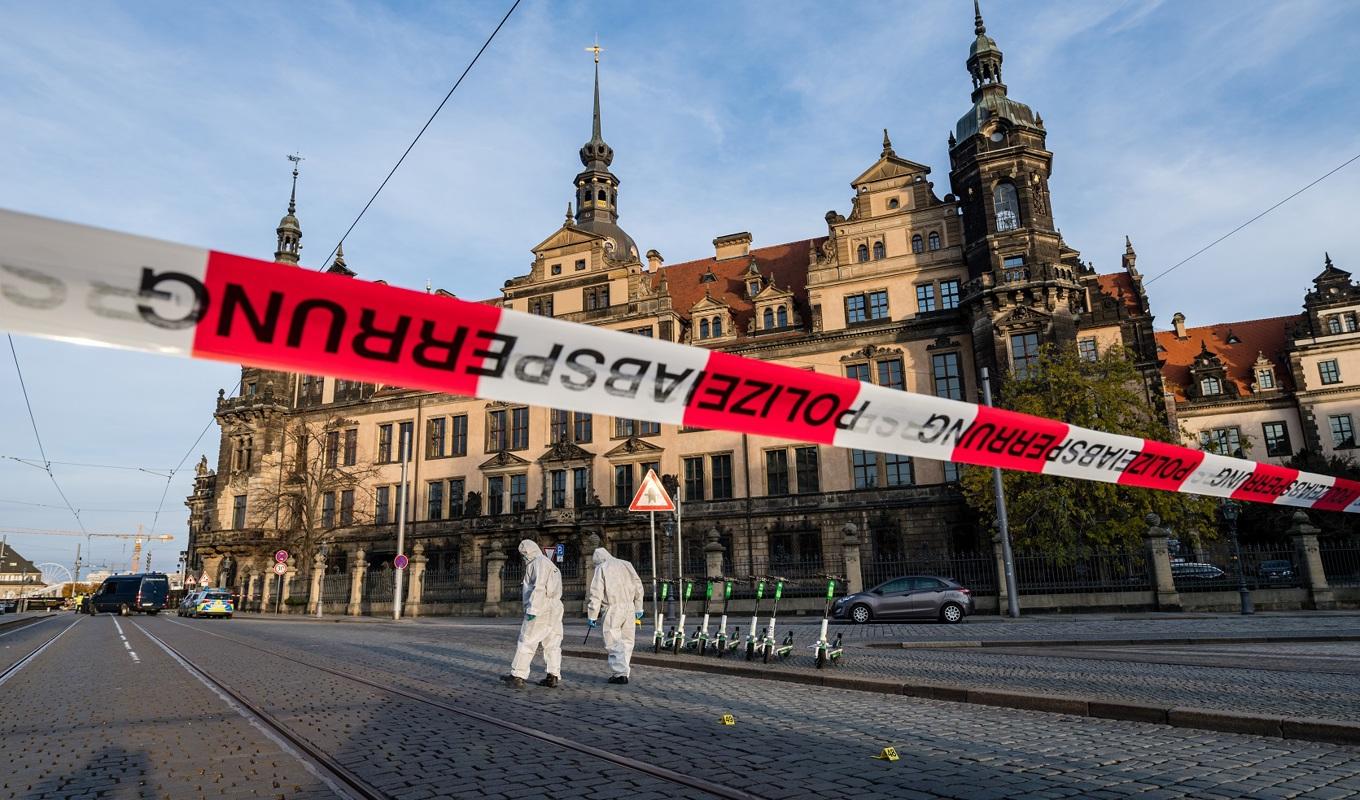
(1253, 337)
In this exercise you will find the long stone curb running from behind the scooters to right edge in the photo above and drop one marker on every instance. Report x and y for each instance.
(1222, 722)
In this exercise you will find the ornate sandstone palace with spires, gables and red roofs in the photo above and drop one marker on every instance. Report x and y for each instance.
(905, 288)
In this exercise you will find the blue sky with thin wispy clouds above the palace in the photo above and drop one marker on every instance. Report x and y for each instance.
(1170, 122)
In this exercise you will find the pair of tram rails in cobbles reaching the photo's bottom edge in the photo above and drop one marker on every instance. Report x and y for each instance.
(368, 791)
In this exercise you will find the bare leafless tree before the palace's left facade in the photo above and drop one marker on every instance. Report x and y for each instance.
(322, 486)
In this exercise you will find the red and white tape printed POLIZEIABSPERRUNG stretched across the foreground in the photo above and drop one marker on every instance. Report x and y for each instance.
(93, 286)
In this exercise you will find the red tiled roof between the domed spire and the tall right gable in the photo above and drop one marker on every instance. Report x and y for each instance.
(787, 265)
